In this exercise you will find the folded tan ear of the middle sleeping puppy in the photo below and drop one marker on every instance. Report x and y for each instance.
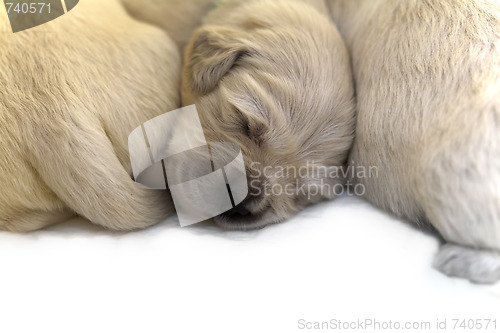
(213, 51)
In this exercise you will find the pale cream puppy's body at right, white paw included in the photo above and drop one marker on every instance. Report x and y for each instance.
(427, 78)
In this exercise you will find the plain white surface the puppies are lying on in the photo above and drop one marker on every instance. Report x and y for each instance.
(339, 260)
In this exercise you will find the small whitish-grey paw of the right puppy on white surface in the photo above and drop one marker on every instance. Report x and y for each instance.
(478, 266)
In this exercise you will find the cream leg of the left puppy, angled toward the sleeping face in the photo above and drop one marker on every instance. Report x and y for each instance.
(77, 162)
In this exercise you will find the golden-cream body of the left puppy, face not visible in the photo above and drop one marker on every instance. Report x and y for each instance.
(70, 93)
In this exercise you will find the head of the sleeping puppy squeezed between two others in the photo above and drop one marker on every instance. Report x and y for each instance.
(273, 77)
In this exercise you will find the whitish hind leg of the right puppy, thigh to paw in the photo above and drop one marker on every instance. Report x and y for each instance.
(460, 196)
